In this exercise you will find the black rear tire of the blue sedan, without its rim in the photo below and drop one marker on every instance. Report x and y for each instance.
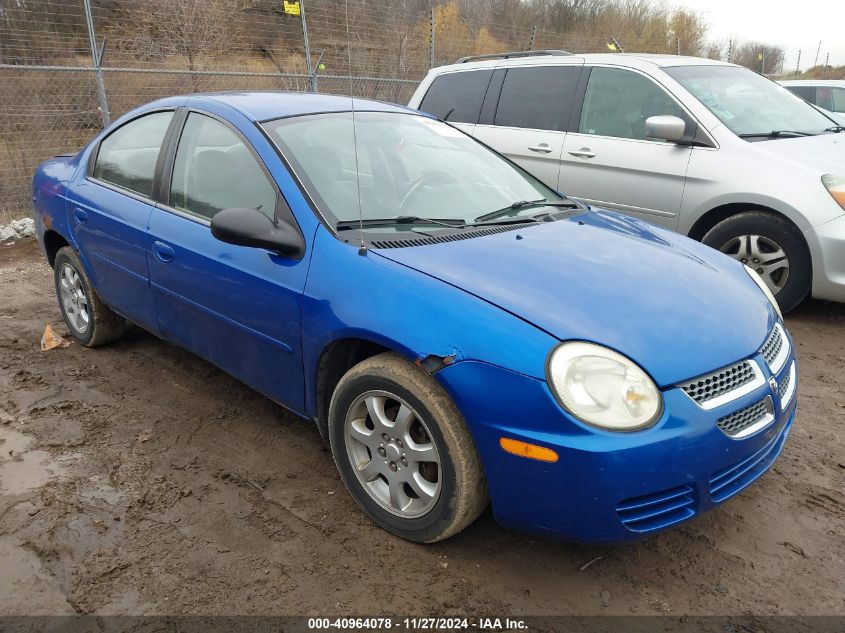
(103, 325)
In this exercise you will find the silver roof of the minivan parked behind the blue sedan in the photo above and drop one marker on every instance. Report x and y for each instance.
(633, 60)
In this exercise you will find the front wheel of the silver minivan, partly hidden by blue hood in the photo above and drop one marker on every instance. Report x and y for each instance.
(770, 245)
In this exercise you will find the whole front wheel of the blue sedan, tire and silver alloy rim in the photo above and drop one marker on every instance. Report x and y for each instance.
(404, 451)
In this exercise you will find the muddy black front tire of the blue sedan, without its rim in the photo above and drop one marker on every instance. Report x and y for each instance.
(463, 490)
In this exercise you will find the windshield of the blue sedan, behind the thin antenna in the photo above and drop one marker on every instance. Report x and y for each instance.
(408, 165)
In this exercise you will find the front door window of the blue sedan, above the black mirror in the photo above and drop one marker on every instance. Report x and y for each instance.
(214, 170)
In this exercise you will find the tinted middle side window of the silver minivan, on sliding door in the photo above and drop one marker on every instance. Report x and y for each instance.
(539, 98)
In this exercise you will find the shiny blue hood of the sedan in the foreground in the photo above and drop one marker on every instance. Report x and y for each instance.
(676, 307)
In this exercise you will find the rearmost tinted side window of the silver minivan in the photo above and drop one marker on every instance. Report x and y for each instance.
(457, 97)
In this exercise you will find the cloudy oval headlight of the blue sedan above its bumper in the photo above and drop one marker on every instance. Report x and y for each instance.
(603, 388)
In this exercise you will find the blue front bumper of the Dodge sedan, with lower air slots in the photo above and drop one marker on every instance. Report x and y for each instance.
(606, 486)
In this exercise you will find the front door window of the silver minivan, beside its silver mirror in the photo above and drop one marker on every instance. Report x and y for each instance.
(618, 102)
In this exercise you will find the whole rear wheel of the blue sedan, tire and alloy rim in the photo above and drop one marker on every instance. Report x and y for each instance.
(90, 321)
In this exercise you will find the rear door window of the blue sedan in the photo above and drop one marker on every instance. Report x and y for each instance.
(127, 157)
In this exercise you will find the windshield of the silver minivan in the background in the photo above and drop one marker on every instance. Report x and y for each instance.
(748, 103)
